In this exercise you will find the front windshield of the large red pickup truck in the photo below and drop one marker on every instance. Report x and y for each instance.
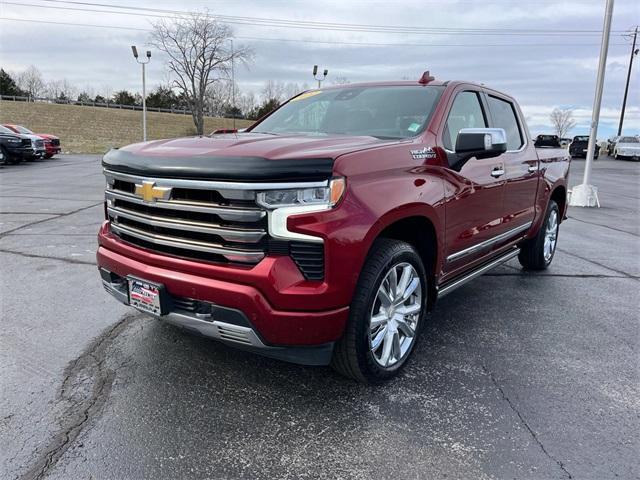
(382, 112)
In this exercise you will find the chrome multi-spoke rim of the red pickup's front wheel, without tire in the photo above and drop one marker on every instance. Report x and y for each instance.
(395, 314)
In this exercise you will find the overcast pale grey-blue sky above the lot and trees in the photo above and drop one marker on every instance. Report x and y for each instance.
(541, 71)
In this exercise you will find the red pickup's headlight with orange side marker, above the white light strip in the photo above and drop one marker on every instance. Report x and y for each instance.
(314, 196)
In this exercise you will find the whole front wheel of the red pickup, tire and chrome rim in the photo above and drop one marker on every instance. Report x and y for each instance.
(386, 315)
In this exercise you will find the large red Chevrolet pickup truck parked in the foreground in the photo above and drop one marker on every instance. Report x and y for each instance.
(325, 232)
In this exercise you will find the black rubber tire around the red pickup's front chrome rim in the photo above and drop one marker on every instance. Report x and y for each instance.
(353, 356)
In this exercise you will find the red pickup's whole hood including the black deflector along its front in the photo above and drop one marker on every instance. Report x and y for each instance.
(245, 156)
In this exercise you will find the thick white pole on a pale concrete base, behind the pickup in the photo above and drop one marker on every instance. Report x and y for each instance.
(586, 195)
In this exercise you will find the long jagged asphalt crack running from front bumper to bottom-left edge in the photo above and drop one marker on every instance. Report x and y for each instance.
(84, 390)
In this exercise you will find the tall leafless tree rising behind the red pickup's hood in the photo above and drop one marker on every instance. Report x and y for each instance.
(200, 53)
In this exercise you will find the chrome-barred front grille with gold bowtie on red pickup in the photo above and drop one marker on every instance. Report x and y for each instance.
(216, 221)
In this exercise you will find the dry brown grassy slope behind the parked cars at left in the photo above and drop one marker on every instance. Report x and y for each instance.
(95, 129)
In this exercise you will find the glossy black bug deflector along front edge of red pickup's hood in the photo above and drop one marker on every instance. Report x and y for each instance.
(247, 169)
